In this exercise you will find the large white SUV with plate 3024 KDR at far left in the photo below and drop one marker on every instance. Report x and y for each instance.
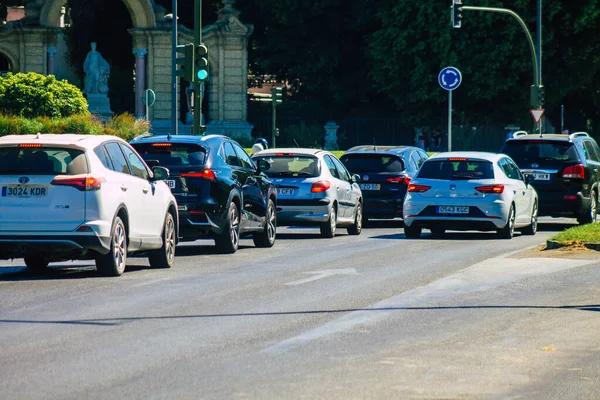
(66, 197)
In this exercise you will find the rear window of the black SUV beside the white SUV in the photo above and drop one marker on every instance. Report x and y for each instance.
(171, 154)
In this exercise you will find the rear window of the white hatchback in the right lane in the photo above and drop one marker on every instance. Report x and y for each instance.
(448, 169)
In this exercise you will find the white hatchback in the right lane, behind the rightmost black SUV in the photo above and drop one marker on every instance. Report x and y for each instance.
(470, 191)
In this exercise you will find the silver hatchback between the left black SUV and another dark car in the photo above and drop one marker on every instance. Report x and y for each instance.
(314, 189)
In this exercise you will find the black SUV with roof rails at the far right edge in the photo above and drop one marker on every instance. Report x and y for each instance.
(566, 171)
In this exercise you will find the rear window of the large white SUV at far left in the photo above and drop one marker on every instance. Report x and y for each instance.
(45, 160)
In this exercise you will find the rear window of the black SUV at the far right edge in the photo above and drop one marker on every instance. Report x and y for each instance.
(537, 151)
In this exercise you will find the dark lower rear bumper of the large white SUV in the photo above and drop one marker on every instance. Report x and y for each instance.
(55, 245)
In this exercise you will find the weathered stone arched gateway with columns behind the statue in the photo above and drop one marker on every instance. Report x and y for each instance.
(35, 43)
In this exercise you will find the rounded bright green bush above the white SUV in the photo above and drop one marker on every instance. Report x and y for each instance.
(33, 95)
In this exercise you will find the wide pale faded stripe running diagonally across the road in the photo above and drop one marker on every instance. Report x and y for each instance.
(486, 275)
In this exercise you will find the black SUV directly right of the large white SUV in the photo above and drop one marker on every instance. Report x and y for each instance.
(221, 193)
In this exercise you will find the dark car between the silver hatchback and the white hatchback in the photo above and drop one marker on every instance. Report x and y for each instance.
(385, 172)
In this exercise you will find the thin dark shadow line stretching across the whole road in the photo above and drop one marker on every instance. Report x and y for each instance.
(124, 320)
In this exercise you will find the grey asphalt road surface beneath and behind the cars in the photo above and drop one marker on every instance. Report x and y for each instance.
(375, 316)
